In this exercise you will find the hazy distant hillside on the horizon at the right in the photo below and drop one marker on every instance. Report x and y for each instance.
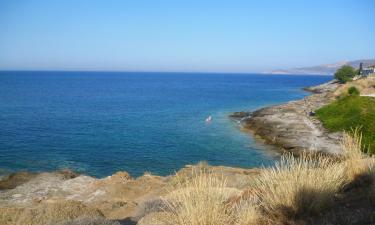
(327, 69)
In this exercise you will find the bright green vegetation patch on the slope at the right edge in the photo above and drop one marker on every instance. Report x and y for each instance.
(349, 113)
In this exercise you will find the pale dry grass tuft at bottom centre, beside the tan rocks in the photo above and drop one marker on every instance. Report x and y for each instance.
(200, 201)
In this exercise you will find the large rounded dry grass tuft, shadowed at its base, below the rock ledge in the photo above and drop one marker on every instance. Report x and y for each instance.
(299, 186)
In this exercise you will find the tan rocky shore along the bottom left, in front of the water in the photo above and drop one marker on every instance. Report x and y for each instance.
(67, 198)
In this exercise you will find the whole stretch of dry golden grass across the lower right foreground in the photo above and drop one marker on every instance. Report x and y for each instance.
(292, 192)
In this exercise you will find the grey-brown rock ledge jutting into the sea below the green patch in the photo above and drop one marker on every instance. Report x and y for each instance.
(292, 126)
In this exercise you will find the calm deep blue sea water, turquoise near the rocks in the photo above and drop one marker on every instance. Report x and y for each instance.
(98, 123)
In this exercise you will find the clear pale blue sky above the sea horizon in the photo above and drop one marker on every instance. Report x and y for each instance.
(188, 36)
